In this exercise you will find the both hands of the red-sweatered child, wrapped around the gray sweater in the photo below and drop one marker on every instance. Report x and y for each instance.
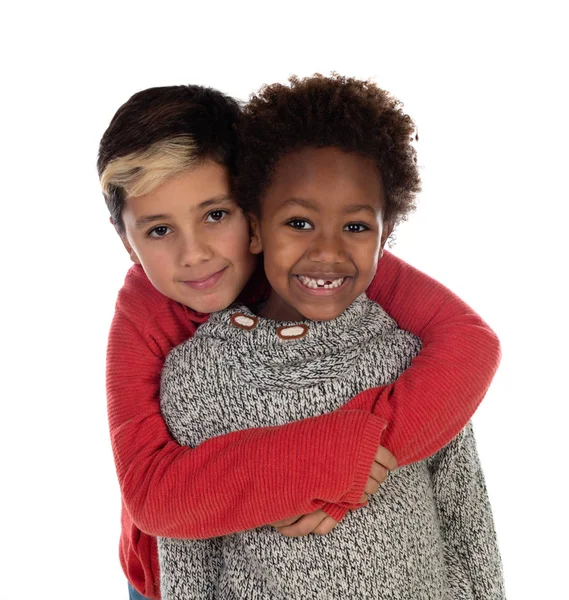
(319, 522)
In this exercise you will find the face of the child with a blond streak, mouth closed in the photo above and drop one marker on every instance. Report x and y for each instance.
(191, 238)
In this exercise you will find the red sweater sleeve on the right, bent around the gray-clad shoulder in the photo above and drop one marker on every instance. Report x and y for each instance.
(434, 399)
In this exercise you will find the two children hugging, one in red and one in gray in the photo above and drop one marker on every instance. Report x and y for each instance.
(289, 404)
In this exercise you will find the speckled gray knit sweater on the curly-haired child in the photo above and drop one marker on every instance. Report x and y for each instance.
(427, 534)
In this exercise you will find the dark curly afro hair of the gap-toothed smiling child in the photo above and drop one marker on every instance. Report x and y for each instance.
(318, 111)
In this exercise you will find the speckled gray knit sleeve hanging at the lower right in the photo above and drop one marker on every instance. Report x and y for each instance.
(472, 557)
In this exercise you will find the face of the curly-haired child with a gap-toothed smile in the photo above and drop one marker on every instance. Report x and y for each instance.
(321, 231)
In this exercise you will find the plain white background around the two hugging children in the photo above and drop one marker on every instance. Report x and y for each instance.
(486, 84)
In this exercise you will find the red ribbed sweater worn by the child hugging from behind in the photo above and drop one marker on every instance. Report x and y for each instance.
(250, 478)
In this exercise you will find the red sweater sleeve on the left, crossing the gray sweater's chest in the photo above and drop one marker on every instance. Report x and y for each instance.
(229, 483)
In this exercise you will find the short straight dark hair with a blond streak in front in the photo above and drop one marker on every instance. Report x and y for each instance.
(188, 122)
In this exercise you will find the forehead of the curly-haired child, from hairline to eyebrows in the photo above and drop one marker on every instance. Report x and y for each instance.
(331, 172)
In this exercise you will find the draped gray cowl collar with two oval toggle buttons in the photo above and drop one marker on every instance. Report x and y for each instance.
(324, 351)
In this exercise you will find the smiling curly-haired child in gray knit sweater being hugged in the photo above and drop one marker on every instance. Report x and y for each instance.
(325, 188)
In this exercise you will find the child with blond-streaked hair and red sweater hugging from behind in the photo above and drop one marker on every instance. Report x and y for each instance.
(166, 164)
